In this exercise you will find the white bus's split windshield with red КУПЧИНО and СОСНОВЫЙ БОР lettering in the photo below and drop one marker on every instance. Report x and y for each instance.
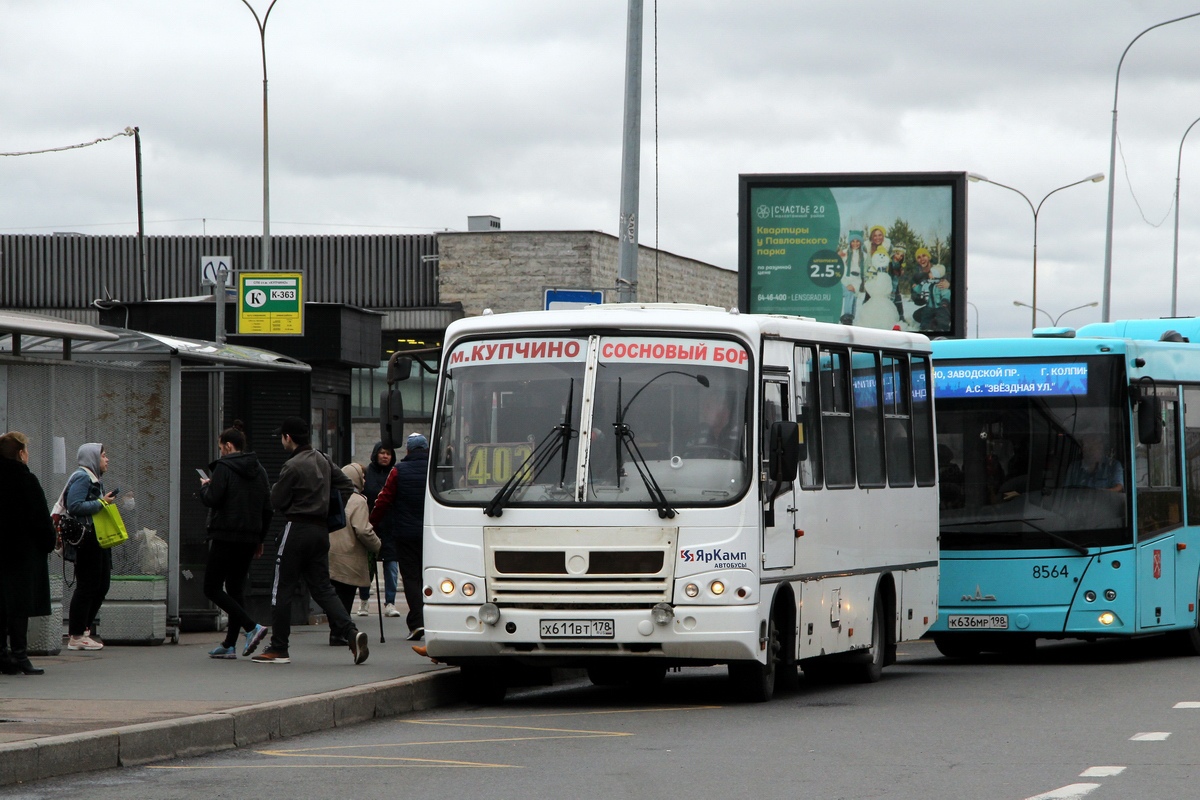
(662, 429)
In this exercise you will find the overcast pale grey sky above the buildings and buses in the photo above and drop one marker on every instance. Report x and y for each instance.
(400, 117)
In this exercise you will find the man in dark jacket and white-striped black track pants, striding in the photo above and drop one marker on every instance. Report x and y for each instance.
(303, 497)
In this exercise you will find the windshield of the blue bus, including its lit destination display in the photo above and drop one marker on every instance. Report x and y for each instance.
(1034, 454)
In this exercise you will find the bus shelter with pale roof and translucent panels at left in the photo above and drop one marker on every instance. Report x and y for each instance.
(65, 384)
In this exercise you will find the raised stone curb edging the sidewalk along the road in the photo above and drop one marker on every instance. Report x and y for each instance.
(209, 733)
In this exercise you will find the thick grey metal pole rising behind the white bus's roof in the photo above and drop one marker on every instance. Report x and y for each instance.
(631, 160)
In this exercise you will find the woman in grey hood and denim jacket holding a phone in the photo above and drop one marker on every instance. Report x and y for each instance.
(83, 497)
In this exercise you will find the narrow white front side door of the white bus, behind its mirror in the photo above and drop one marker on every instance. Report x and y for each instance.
(778, 527)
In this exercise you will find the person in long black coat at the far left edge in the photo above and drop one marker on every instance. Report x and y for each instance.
(28, 538)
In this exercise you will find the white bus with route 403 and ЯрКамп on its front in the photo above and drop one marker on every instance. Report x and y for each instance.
(628, 489)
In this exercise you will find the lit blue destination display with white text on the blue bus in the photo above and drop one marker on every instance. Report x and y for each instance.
(994, 380)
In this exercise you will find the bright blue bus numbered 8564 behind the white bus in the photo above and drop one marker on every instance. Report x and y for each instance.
(1070, 486)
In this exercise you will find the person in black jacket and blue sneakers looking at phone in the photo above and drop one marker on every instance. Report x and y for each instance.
(238, 496)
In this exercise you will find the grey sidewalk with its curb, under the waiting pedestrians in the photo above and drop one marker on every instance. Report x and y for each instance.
(127, 706)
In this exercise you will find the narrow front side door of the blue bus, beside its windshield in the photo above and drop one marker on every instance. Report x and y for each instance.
(1160, 514)
